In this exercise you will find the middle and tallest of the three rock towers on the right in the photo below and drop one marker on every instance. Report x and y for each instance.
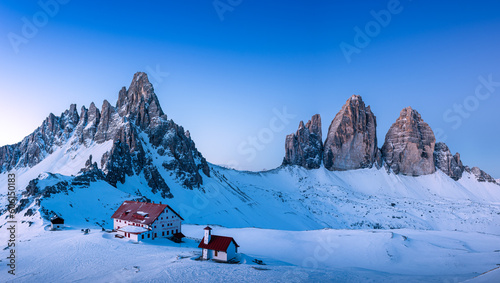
(351, 142)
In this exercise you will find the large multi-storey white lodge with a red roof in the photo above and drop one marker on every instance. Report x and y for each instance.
(156, 219)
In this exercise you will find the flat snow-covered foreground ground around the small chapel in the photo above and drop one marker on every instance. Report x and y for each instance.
(290, 256)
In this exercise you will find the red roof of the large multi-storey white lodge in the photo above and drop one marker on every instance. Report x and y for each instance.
(141, 212)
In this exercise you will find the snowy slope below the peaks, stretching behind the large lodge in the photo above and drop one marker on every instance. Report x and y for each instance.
(294, 198)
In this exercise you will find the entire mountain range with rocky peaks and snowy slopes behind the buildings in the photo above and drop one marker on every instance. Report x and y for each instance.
(83, 165)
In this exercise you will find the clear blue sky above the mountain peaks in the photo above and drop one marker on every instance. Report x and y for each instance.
(230, 71)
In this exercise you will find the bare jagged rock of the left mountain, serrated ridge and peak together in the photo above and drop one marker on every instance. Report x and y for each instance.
(137, 126)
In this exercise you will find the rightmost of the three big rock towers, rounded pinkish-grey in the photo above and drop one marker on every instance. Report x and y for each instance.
(409, 145)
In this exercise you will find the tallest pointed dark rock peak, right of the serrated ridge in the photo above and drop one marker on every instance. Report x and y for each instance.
(140, 110)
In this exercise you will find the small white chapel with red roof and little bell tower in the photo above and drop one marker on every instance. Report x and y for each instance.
(216, 247)
